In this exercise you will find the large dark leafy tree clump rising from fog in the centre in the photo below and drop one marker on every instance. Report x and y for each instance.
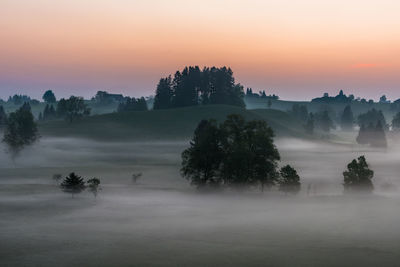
(236, 153)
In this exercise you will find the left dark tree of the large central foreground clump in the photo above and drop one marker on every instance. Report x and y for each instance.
(201, 161)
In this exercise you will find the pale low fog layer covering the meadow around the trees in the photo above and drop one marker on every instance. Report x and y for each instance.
(163, 221)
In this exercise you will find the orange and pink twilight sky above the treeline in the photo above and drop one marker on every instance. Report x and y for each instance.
(295, 49)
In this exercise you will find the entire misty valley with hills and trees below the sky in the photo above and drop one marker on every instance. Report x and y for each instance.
(203, 173)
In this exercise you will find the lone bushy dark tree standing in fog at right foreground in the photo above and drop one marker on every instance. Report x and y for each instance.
(358, 176)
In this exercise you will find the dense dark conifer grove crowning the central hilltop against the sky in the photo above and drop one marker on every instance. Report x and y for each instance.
(193, 87)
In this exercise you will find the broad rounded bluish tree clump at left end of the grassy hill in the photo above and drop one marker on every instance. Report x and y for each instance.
(72, 108)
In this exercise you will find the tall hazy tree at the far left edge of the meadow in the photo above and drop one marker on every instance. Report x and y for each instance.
(21, 130)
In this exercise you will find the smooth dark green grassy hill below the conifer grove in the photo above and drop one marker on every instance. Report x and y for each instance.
(170, 124)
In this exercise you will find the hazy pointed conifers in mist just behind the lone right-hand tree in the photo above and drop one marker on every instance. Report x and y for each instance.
(372, 135)
